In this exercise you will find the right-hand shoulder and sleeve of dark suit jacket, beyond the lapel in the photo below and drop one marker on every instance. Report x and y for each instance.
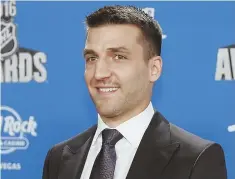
(197, 158)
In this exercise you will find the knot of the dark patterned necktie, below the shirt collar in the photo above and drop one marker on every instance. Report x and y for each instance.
(111, 136)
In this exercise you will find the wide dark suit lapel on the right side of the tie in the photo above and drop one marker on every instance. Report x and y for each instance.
(154, 152)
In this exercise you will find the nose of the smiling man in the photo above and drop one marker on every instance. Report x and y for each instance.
(102, 70)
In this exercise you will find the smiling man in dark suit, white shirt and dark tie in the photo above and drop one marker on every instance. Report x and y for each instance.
(131, 140)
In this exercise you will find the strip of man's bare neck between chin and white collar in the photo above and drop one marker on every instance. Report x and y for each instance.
(124, 116)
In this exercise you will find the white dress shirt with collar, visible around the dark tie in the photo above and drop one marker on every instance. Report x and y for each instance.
(132, 131)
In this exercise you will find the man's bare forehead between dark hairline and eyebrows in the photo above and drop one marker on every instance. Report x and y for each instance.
(107, 36)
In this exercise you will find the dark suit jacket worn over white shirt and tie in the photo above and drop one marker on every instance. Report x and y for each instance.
(165, 152)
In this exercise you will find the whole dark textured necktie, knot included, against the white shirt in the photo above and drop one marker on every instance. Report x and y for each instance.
(105, 162)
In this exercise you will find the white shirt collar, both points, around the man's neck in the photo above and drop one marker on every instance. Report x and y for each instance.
(132, 129)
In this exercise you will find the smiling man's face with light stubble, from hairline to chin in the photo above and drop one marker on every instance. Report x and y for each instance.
(116, 73)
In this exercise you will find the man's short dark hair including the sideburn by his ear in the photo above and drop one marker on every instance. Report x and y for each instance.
(117, 14)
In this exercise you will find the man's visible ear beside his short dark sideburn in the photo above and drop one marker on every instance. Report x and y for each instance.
(155, 68)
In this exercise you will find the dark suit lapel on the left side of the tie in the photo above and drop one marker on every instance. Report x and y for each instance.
(74, 156)
